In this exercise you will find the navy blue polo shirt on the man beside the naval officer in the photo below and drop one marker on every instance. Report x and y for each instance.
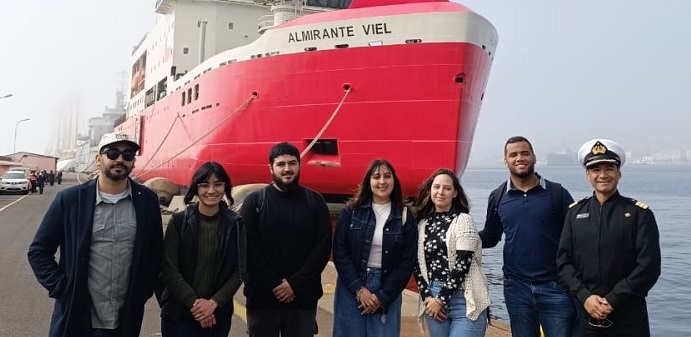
(532, 227)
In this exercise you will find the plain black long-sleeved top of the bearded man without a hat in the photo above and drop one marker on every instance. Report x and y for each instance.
(289, 237)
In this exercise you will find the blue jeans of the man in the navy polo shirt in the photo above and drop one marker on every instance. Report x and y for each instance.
(546, 304)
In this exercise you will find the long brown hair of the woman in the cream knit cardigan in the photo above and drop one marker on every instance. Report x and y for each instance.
(423, 204)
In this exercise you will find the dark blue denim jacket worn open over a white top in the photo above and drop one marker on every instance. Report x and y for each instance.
(352, 243)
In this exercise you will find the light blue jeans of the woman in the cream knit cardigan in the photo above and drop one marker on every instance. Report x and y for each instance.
(456, 324)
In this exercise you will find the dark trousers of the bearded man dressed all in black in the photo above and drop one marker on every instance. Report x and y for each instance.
(287, 323)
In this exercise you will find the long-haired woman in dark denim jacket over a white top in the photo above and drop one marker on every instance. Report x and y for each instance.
(374, 253)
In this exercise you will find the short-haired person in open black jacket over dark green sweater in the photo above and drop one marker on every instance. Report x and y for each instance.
(204, 259)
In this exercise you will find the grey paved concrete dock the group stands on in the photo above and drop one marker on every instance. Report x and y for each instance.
(25, 308)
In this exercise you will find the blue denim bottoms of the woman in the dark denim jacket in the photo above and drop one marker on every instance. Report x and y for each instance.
(348, 320)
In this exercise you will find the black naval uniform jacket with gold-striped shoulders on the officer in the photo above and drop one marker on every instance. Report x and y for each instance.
(612, 250)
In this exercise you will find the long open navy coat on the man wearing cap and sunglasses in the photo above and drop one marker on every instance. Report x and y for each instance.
(67, 225)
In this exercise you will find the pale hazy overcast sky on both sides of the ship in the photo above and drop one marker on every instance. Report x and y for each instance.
(564, 72)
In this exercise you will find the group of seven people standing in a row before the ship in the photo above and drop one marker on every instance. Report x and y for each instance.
(570, 268)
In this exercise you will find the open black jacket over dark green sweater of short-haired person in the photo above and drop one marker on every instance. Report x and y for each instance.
(229, 269)
